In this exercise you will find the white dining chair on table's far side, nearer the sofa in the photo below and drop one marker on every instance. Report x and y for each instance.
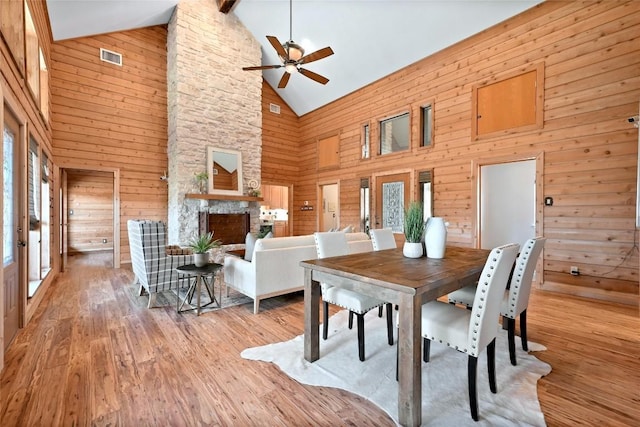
(330, 244)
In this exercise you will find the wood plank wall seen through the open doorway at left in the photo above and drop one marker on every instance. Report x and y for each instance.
(90, 196)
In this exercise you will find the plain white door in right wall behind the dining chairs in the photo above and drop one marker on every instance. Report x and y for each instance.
(507, 203)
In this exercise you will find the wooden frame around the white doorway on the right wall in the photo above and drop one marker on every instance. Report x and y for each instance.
(476, 166)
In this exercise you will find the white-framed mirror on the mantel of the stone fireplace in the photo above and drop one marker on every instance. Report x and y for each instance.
(224, 167)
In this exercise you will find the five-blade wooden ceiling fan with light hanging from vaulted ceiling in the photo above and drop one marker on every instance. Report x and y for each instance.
(292, 56)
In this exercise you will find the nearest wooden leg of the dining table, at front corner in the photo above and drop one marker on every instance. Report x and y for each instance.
(409, 361)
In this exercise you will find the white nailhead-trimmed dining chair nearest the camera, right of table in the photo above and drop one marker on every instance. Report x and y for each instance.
(471, 331)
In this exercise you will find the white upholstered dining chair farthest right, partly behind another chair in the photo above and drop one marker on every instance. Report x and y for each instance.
(516, 300)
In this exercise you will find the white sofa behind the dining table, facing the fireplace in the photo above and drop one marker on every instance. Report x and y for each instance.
(275, 269)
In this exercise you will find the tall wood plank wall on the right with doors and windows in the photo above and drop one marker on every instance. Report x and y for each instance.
(591, 56)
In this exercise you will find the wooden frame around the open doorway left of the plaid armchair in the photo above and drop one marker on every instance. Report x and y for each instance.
(116, 206)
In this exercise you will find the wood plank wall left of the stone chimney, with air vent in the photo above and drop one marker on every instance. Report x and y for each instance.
(111, 117)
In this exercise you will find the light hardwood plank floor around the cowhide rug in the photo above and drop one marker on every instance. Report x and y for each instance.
(95, 355)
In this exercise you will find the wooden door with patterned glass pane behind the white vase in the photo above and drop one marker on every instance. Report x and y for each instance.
(392, 196)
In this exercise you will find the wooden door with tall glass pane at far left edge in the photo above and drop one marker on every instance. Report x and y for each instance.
(12, 234)
